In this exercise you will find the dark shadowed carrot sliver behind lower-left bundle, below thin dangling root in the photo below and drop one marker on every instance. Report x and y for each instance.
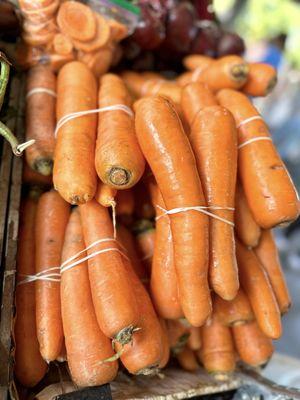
(125, 237)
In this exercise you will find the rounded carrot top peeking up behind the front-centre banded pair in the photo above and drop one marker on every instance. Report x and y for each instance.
(196, 96)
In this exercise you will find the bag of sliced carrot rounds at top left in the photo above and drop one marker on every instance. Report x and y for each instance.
(61, 31)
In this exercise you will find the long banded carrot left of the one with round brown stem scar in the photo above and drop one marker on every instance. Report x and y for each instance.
(74, 173)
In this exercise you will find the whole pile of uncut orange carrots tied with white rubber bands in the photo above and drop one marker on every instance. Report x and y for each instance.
(166, 251)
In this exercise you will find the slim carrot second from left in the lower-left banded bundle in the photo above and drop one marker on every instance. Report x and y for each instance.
(51, 221)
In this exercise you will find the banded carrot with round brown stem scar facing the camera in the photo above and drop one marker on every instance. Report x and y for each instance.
(119, 160)
